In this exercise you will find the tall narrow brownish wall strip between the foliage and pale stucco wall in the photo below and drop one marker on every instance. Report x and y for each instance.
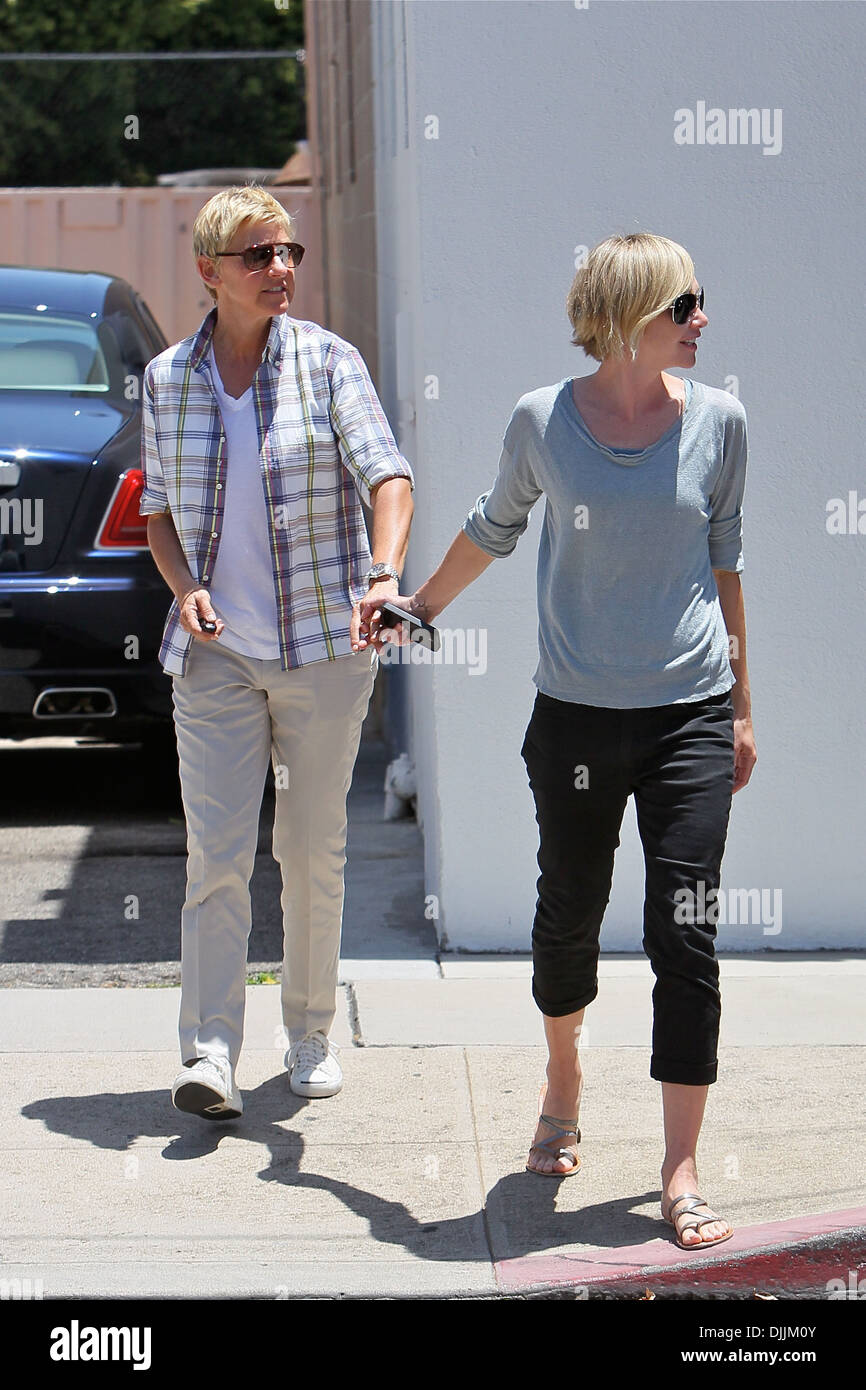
(341, 141)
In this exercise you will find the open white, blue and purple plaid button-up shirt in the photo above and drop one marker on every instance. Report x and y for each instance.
(325, 444)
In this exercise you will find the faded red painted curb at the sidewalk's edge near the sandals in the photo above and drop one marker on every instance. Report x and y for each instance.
(629, 1263)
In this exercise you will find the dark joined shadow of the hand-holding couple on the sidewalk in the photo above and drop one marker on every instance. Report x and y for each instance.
(519, 1217)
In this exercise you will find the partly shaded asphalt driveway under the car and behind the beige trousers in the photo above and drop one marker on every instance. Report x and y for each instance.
(92, 869)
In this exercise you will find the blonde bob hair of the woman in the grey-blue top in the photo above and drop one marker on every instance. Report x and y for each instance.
(623, 284)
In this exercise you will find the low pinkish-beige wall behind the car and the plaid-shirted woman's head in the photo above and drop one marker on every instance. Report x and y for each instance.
(144, 236)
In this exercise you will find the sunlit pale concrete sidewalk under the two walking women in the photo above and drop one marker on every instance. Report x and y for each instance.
(411, 1182)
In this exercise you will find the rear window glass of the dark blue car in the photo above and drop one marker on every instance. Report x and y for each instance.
(41, 352)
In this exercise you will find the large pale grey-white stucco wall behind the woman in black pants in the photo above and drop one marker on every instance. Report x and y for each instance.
(557, 129)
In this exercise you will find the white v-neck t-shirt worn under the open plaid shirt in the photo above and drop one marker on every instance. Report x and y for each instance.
(243, 584)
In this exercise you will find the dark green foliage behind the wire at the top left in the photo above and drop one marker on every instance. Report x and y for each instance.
(69, 123)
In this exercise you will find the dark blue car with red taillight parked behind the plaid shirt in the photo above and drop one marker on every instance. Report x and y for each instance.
(81, 601)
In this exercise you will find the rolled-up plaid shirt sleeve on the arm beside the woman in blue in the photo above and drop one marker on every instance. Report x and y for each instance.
(366, 444)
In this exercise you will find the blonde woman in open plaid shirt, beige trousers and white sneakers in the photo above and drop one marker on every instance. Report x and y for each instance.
(262, 440)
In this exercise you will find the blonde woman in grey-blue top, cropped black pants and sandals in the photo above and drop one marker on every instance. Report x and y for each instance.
(642, 679)
